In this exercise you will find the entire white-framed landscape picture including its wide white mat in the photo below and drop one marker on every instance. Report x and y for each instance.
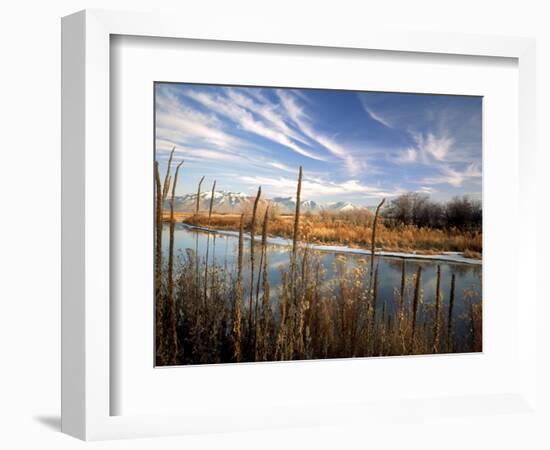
(270, 229)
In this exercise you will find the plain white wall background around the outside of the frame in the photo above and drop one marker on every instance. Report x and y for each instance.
(30, 198)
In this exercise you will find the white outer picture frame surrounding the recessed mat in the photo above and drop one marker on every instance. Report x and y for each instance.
(86, 220)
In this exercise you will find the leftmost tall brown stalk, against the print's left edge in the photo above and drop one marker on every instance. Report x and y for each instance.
(158, 268)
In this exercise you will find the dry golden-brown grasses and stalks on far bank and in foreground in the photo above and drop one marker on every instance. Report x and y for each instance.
(206, 313)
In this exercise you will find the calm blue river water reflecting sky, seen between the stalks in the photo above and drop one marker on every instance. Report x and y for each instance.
(223, 251)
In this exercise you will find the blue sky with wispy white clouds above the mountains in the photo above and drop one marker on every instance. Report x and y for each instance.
(353, 146)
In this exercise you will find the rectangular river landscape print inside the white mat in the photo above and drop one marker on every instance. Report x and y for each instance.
(298, 224)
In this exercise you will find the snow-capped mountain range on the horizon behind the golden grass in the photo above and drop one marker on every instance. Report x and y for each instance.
(234, 202)
